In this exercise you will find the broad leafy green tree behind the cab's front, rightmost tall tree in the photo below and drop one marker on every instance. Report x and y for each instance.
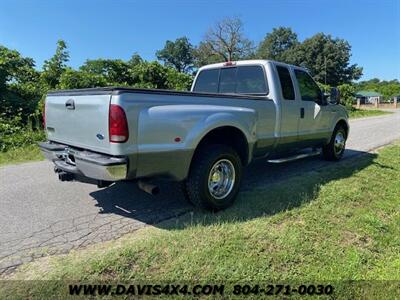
(327, 59)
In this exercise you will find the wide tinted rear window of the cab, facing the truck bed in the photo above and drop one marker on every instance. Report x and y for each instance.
(246, 80)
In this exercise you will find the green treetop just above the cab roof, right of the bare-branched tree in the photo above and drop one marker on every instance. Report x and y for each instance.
(276, 44)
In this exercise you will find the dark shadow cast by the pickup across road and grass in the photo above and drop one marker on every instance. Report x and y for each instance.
(267, 189)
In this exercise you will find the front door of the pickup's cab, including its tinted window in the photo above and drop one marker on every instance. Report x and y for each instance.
(314, 114)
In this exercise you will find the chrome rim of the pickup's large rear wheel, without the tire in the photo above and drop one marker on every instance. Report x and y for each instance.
(221, 179)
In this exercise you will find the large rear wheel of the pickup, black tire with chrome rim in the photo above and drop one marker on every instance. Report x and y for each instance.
(214, 178)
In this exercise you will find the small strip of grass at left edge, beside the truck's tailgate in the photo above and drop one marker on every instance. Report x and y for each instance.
(19, 155)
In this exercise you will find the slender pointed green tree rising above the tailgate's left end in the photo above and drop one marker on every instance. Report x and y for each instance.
(55, 66)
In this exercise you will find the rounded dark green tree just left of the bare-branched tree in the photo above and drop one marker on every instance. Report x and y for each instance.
(177, 54)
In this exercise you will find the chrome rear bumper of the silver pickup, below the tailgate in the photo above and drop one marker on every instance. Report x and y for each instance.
(83, 162)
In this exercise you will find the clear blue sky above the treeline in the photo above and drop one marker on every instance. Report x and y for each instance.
(119, 28)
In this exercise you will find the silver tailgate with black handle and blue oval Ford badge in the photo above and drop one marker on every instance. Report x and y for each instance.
(79, 120)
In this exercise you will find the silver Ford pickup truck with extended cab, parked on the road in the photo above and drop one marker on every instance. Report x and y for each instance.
(235, 113)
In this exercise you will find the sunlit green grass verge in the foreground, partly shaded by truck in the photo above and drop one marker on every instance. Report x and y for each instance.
(338, 223)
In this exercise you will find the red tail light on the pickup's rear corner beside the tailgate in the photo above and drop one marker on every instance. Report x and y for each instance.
(117, 125)
